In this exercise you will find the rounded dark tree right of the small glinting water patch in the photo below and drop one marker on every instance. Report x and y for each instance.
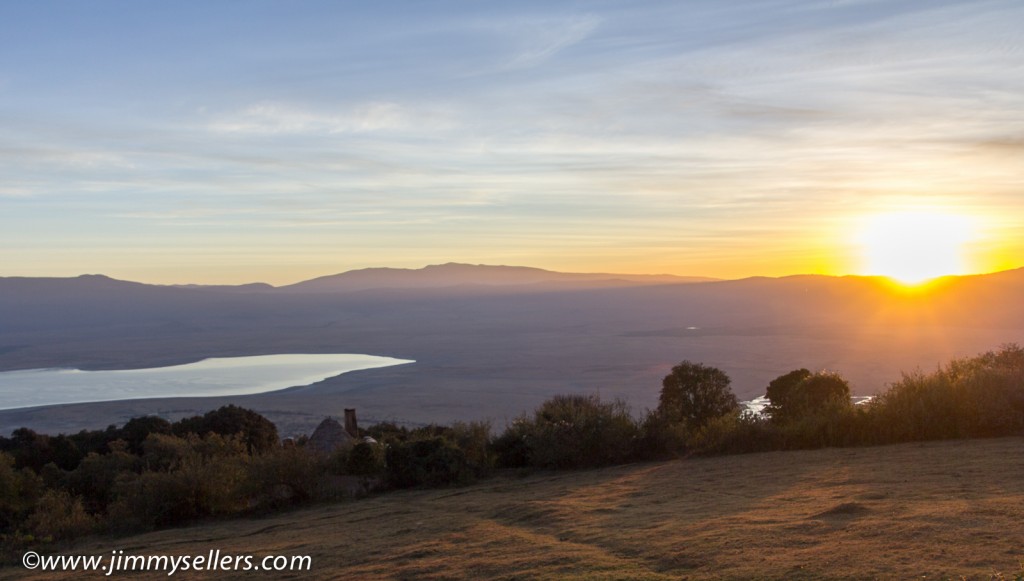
(813, 395)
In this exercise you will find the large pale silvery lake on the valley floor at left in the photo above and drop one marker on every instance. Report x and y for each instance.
(216, 377)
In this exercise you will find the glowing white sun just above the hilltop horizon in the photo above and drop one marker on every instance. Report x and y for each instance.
(915, 247)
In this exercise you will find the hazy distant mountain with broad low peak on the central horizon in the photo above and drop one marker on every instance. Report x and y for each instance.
(453, 274)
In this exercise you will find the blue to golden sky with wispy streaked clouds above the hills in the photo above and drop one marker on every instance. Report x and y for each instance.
(231, 142)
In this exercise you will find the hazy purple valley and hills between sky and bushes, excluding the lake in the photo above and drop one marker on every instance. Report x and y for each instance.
(491, 343)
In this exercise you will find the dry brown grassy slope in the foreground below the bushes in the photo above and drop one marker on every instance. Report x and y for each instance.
(935, 510)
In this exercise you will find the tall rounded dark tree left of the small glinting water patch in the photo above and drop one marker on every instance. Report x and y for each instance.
(696, 394)
